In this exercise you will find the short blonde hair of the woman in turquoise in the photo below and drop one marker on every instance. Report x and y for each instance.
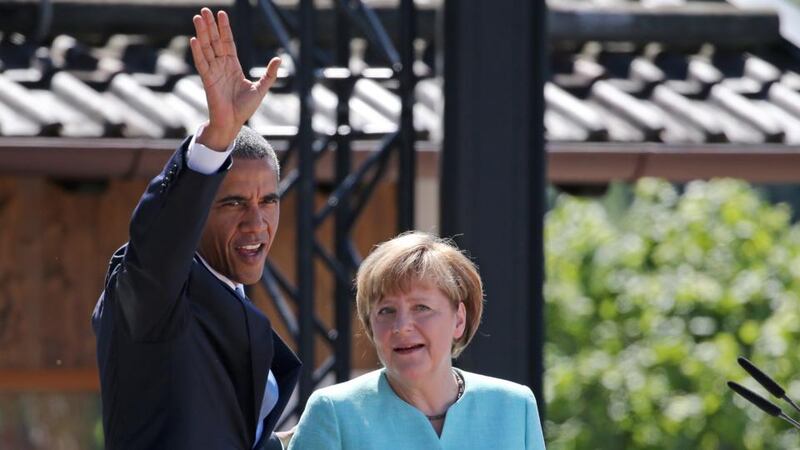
(396, 264)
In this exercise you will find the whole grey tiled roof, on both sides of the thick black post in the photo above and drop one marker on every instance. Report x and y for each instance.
(626, 78)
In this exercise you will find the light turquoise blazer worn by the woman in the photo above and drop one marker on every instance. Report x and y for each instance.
(366, 414)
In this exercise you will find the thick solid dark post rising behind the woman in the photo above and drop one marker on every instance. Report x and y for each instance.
(493, 189)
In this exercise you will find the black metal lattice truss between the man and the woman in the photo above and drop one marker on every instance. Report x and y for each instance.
(353, 185)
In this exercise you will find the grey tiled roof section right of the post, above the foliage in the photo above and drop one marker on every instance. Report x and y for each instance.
(683, 75)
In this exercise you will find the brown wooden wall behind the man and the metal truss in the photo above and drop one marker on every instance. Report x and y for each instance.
(55, 241)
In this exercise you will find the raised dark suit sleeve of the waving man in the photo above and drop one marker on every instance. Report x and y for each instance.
(165, 230)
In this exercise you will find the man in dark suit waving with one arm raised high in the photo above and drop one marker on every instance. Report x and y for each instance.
(186, 361)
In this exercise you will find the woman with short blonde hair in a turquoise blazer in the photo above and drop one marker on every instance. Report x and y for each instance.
(420, 301)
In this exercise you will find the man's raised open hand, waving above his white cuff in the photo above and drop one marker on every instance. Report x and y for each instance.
(231, 97)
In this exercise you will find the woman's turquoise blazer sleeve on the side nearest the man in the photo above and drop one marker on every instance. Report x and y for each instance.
(318, 428)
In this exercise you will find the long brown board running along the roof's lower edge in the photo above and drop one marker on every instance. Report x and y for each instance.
(573, 163)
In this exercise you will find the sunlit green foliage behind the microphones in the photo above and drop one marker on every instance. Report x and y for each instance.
(648, 308)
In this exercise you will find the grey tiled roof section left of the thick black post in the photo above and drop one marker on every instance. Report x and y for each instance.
(131, 87)
